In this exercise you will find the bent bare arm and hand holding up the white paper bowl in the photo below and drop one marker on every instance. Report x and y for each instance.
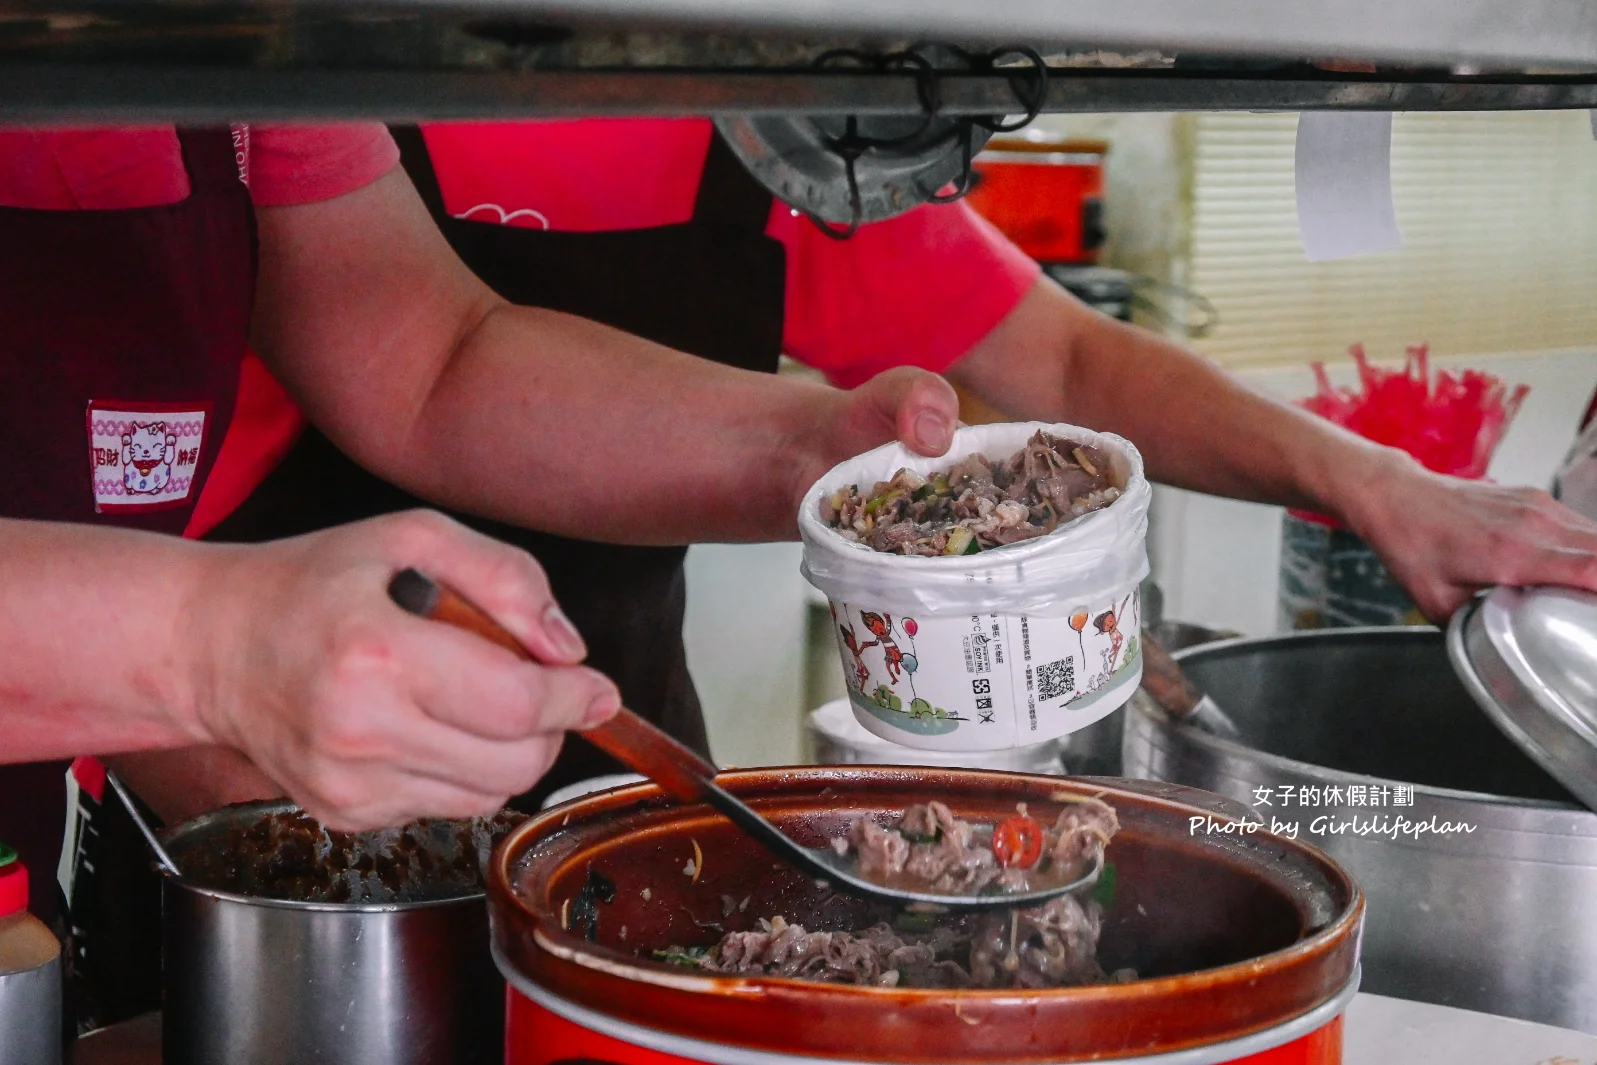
(424, 376)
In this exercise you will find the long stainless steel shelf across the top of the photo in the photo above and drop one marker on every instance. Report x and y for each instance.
(394, 60)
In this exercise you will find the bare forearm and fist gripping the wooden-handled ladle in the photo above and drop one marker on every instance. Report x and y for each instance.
(295, 657)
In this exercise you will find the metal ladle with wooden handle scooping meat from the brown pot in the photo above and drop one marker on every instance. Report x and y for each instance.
(686, 777)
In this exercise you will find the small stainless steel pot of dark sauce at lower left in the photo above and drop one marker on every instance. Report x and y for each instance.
(255, 981)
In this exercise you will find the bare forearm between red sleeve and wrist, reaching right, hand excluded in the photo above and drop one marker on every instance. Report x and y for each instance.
(1197, 426)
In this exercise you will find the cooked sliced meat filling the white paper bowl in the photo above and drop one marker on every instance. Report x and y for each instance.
(977, 505)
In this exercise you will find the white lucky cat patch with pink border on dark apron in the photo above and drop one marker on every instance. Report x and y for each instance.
(145, 457)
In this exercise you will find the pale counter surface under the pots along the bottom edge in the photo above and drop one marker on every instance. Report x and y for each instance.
(1379, 1032)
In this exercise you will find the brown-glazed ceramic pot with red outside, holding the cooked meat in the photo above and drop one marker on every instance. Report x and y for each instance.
(1246, 944)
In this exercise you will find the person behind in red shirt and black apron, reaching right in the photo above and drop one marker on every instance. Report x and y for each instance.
(654, 228)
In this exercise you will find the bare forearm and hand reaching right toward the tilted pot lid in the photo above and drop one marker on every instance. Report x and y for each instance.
(1200, 429)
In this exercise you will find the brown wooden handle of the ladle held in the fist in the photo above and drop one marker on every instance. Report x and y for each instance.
(627, 737)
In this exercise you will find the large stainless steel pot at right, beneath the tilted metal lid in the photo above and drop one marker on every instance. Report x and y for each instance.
(1502, 917)
